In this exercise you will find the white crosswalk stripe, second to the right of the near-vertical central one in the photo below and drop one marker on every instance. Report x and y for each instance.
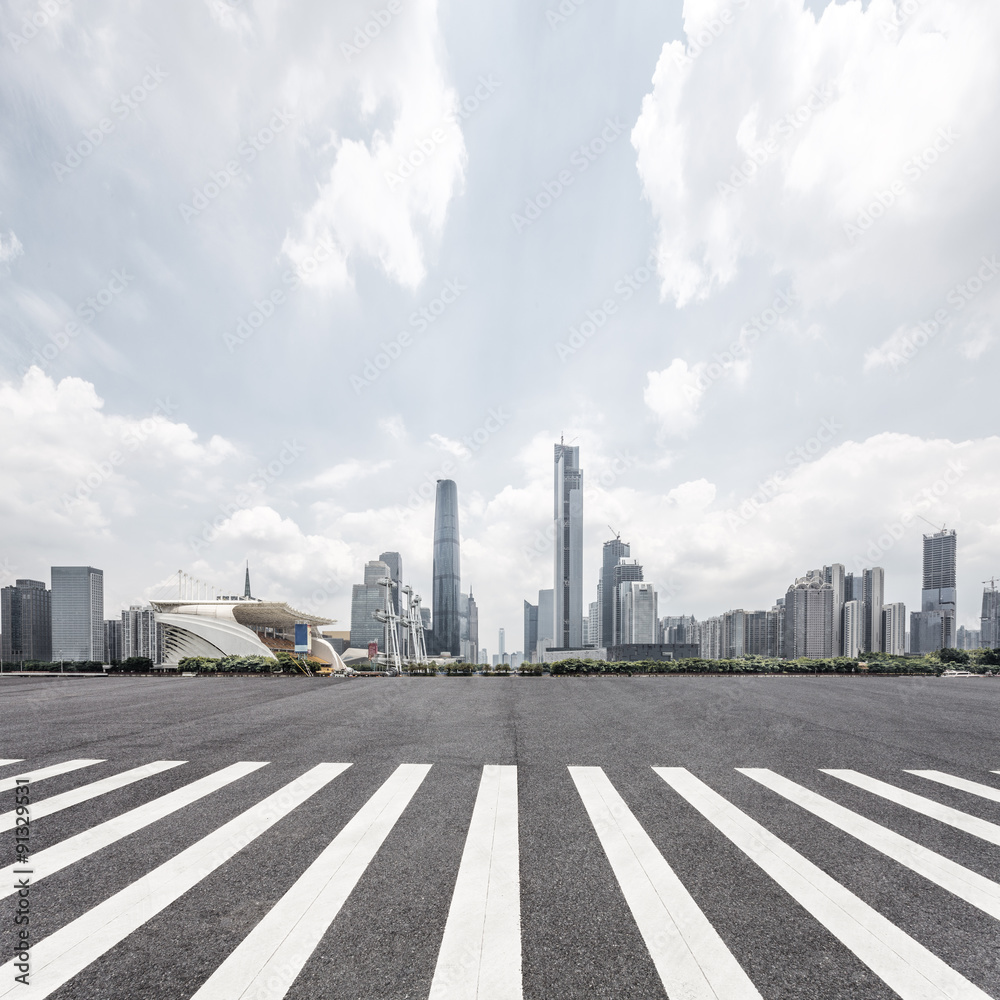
(904, 964)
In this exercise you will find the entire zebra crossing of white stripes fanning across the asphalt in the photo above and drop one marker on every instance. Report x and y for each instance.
(479, 953)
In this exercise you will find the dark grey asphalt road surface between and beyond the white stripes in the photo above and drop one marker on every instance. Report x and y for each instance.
(579, 937)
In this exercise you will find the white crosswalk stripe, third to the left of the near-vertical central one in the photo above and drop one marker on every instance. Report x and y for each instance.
(71, 850)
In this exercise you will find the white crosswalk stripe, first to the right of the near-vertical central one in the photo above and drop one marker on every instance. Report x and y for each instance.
(691, 958)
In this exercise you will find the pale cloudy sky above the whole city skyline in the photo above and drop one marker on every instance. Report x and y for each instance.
(269, 270)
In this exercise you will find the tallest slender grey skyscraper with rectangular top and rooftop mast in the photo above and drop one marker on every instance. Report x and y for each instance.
(568, 564)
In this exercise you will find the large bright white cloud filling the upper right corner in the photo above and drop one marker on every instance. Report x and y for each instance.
(781, 131)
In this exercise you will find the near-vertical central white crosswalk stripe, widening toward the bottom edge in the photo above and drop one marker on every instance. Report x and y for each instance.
(480, 956)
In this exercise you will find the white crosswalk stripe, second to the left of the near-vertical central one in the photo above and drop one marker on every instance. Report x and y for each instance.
(55, 960)
